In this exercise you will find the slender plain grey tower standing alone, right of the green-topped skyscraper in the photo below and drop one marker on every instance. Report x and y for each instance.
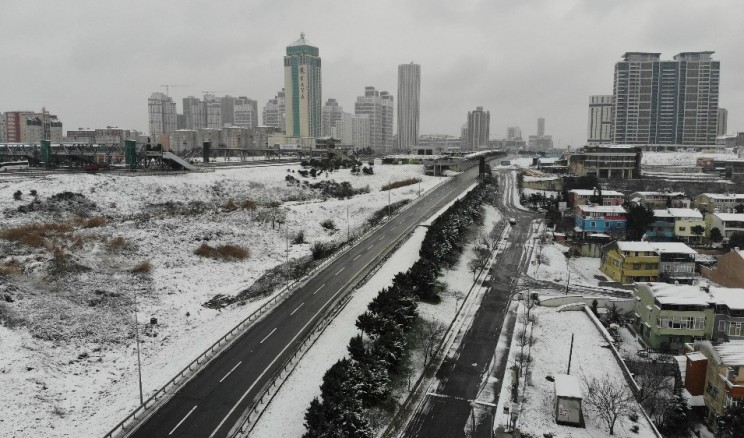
(409, 95)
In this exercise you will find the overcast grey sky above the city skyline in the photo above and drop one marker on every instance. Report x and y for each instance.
(95, 63)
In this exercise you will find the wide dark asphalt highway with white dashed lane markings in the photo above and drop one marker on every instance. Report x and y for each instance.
(211, 403)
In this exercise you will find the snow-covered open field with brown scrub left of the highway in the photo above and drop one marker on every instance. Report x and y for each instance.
(68, 362)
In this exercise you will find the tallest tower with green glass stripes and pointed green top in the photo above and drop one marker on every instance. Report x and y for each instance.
(302, 83)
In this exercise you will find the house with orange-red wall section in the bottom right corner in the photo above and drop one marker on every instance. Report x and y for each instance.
(723, 377)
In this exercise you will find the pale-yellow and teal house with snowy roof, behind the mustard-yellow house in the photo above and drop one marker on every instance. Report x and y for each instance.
(676, 224)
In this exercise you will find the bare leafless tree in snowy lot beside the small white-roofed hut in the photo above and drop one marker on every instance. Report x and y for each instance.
(609, 399)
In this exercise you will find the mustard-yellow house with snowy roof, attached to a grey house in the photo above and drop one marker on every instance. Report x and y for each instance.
(629, 262)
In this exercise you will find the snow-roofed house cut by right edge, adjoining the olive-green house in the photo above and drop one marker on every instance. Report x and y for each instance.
(728, 304)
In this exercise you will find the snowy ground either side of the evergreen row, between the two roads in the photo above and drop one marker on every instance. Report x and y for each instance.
(284, 417)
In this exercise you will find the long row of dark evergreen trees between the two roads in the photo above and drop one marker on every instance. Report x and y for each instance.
(363, 381)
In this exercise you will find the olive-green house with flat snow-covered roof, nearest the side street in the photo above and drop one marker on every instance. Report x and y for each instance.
(667, 316)
